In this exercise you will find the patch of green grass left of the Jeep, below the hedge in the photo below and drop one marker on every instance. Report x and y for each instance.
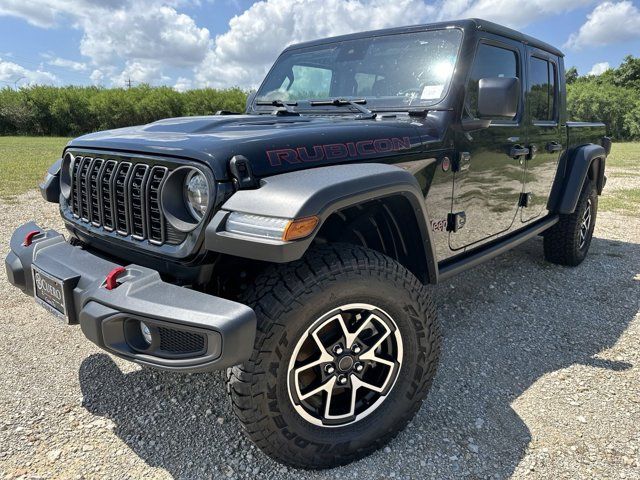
(24, 161)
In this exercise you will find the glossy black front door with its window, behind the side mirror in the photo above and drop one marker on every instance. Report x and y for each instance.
(489, 177)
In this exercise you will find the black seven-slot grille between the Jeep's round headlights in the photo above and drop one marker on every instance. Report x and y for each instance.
(121, 196)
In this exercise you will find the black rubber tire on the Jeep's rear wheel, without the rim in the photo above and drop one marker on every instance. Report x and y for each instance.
(563, 243)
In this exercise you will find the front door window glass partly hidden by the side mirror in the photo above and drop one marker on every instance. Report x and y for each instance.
(490, 61)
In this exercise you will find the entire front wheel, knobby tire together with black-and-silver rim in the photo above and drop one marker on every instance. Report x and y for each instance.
(346, 350)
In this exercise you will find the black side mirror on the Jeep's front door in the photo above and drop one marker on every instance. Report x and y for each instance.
(498, 97)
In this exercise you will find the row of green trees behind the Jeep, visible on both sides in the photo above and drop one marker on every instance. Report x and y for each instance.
(612, 97)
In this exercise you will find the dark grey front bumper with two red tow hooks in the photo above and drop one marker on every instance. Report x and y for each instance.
(191, 331)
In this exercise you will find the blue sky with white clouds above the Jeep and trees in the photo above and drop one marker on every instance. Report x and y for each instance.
(225, 43)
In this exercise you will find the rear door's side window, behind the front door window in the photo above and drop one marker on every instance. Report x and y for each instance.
(542, 89)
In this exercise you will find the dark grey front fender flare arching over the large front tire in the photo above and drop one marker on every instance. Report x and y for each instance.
(319, 191)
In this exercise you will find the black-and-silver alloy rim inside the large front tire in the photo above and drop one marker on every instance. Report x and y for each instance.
(344, 365)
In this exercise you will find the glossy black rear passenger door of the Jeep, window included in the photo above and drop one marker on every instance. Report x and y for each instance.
(543, 131)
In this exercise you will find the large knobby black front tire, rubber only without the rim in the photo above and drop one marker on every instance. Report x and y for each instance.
(287, 300)
